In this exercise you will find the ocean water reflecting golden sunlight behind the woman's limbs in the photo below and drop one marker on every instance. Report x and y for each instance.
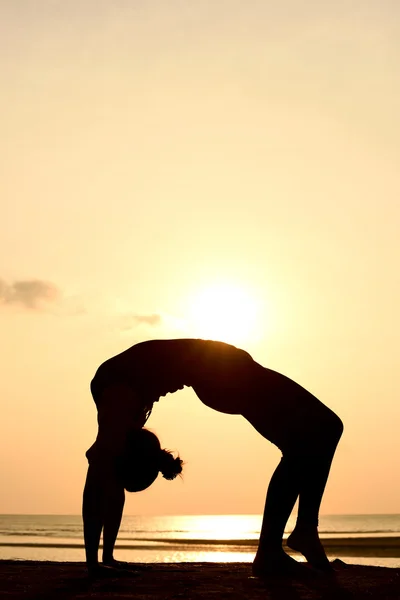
(367, 539)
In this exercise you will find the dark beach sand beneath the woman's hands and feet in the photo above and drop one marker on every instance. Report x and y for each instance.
(31, 580)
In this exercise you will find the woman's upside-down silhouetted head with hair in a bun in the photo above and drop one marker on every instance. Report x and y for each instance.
(143, 459)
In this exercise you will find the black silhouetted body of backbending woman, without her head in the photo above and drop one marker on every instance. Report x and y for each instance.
(228, 380)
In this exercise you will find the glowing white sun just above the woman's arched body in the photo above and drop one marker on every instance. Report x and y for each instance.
(224, 312)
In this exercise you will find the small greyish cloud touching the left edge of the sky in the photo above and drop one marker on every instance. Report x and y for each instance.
(29, 293)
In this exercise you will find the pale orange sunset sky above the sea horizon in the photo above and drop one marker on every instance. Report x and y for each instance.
(199, 168)
